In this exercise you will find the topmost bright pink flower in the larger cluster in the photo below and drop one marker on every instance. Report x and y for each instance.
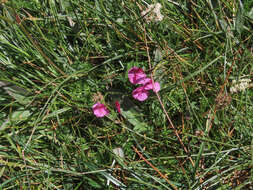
(136, 75)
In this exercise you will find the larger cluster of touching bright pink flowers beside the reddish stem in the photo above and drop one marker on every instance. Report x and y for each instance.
(137, 76)
